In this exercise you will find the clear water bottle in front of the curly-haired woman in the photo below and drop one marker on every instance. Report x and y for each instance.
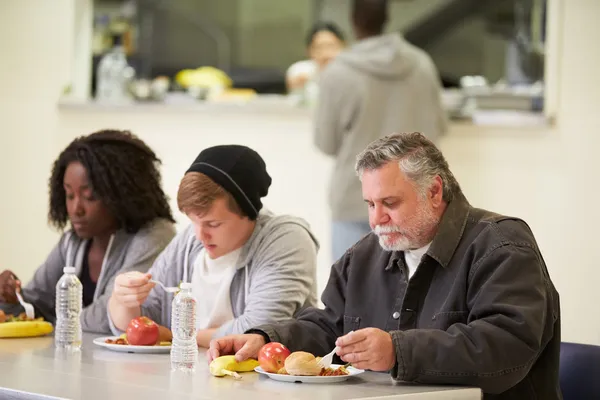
(69, 298)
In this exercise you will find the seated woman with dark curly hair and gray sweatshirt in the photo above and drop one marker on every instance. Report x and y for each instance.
(107, 187)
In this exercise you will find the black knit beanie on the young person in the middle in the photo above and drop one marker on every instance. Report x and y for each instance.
(240, 171)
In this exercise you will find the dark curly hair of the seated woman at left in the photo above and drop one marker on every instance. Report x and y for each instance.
(123, 173)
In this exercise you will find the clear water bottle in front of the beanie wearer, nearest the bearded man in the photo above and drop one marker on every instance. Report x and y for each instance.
(184, 349)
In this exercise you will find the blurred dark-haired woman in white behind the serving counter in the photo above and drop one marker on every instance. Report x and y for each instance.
(324, 41)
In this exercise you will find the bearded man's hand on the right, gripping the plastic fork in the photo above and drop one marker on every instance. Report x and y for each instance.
(368, 348)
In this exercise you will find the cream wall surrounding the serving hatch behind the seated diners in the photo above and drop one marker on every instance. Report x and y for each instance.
(545, 176)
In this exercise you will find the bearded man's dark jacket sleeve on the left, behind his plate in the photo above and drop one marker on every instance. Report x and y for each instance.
(315, 330)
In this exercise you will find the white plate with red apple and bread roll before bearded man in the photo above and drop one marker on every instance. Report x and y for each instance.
(279, 364)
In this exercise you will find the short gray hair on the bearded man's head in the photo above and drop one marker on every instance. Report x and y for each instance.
(417, 157)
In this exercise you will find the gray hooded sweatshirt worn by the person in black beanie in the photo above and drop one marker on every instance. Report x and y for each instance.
(275, 277)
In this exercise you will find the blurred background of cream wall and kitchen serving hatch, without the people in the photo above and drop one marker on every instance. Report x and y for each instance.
(520, 85)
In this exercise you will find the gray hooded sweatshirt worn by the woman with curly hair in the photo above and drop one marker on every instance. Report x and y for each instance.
(126, 252)
